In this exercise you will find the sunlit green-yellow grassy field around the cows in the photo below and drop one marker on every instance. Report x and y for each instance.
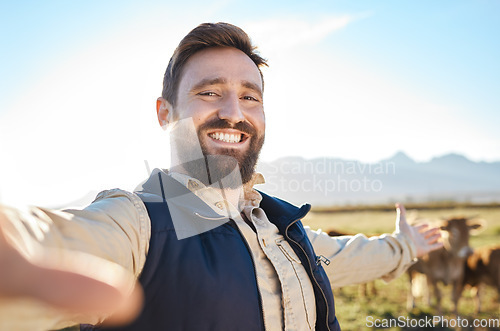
(353, 310)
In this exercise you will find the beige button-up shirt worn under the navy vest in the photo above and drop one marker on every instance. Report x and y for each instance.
(115, 230)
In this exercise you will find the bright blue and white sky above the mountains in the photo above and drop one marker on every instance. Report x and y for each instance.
(351, 79)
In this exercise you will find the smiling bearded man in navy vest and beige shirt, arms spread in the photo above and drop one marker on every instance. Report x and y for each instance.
(210, 252)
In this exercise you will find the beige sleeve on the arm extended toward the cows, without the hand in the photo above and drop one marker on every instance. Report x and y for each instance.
(358, 259)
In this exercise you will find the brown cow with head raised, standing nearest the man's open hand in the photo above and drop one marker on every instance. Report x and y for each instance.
(446, 265)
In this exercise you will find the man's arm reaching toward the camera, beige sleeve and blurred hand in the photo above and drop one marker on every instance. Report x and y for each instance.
(59, 268)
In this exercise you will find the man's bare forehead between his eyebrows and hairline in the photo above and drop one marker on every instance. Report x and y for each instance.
(227, 63)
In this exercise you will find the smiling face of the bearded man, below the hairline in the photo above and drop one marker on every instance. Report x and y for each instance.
(221, 90)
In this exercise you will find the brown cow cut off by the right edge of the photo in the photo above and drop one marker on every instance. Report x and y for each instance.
(483, 267)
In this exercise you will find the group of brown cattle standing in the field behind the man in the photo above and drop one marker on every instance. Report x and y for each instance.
(456, 264)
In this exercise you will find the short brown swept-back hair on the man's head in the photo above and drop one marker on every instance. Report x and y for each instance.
(206, 35)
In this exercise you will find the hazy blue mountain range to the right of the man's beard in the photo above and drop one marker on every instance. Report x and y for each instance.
(329, 181)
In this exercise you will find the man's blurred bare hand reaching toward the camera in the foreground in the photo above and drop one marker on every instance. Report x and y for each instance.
(65, 289)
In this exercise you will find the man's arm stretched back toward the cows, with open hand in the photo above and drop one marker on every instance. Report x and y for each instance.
(358, 259)
